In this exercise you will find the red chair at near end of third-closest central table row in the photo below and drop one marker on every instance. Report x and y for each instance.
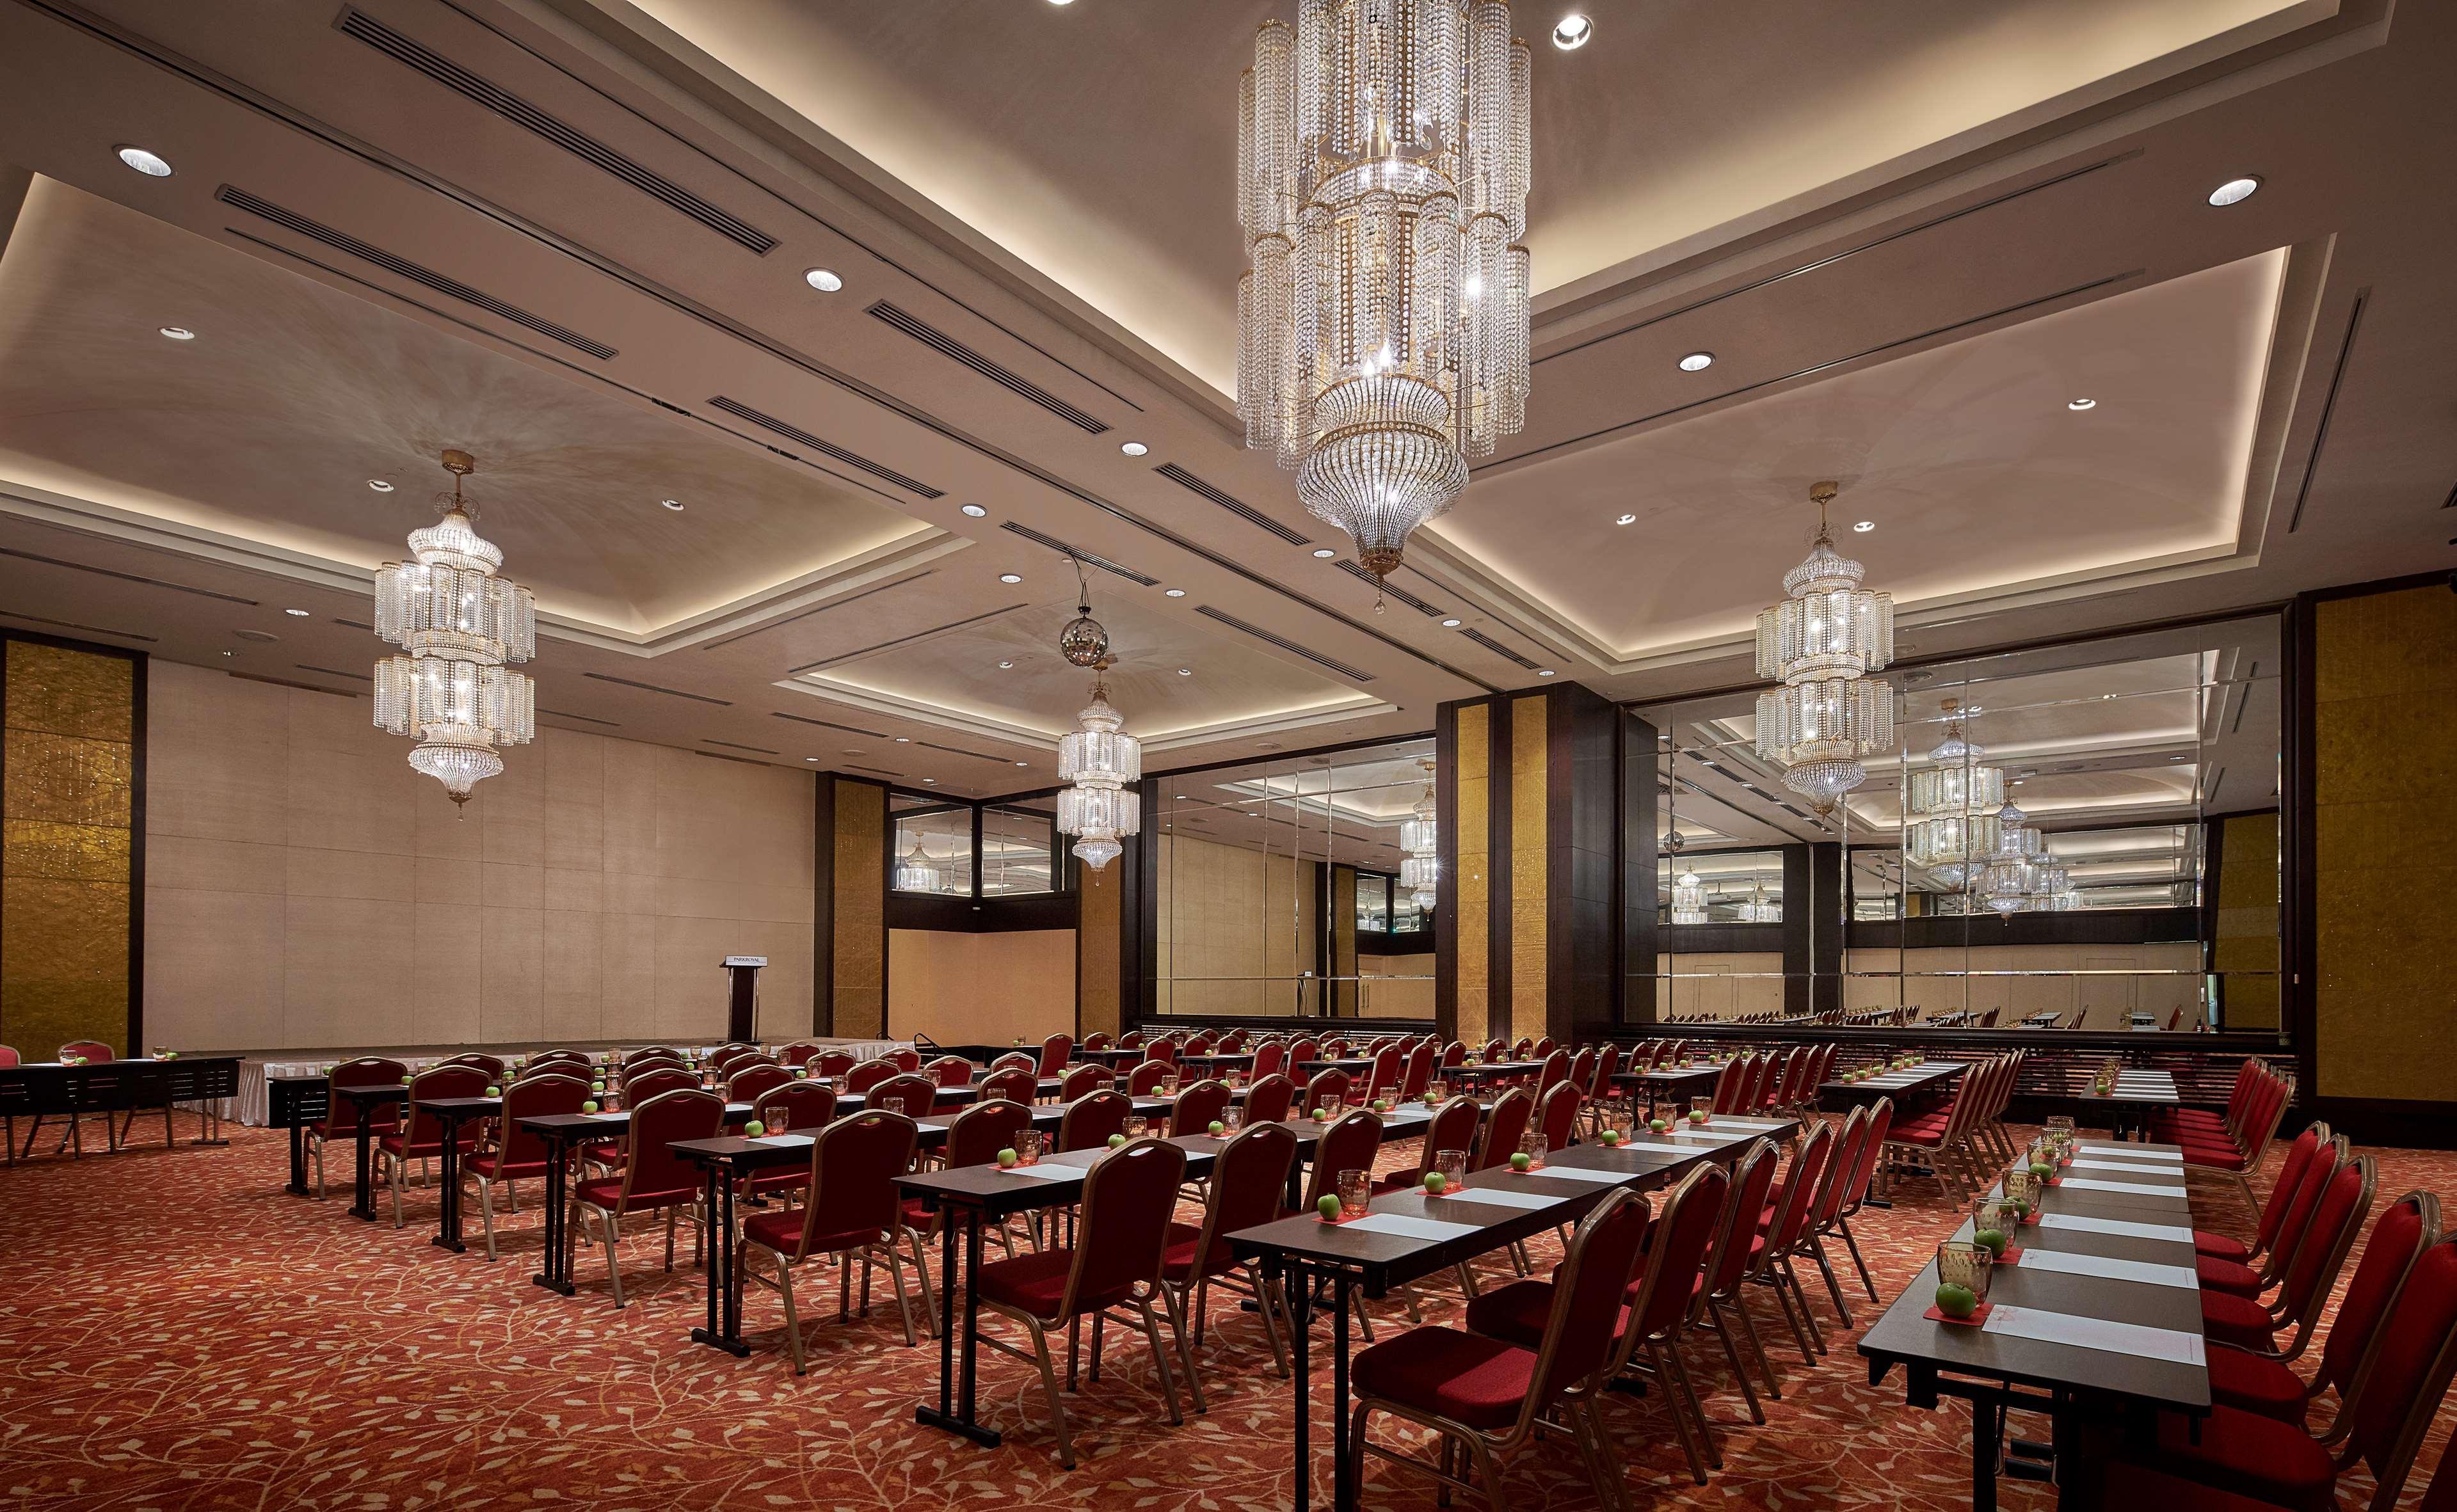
(856, 1214)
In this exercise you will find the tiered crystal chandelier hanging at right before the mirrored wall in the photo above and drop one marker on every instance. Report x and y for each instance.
(1824, 642)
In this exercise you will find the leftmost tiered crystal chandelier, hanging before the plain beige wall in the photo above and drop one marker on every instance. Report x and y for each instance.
(458, 622)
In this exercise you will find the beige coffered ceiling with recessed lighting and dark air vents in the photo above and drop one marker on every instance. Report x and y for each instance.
(571, 237)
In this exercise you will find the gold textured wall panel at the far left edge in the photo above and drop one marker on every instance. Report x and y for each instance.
(65, 848)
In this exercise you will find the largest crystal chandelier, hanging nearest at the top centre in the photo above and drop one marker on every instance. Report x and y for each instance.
(1385, 315)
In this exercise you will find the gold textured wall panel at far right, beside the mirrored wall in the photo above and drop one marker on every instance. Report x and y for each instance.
(2385, 902)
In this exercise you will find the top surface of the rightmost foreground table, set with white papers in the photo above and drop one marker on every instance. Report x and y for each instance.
(2122, 1216)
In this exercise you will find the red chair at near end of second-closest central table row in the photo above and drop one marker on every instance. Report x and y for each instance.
(1112, 1270)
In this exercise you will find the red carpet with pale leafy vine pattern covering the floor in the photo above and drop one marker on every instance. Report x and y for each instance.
(183, 1334)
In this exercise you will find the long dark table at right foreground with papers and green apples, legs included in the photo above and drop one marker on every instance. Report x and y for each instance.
(2102, 1312)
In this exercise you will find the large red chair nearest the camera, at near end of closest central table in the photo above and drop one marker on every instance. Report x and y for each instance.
(1488, 1395)
